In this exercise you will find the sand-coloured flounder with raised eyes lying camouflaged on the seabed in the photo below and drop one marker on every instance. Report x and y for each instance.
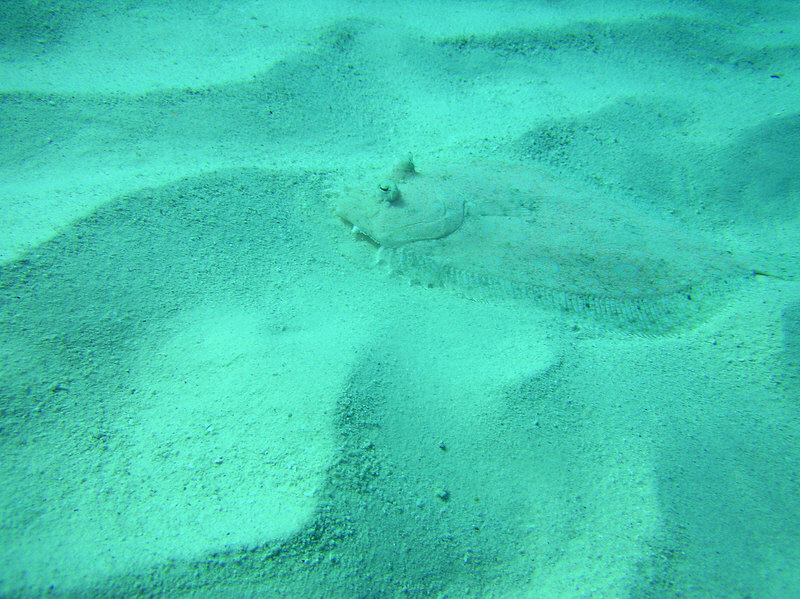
(502, 230)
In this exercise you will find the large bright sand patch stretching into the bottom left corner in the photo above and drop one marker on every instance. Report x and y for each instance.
(224, 444)
